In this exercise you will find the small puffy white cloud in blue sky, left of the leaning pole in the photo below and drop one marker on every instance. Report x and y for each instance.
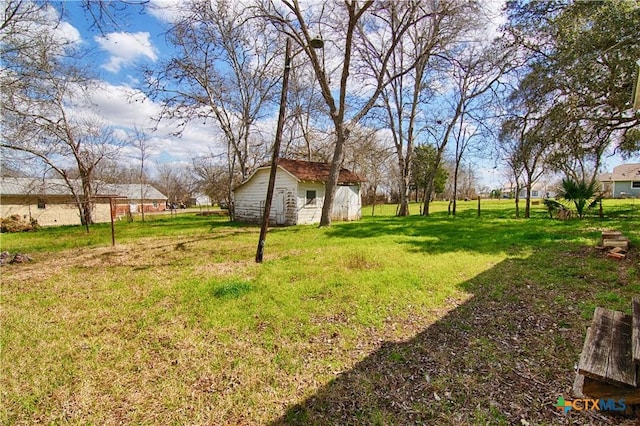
(126, 48)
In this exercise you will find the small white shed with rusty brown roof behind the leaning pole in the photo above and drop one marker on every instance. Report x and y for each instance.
(298, 194)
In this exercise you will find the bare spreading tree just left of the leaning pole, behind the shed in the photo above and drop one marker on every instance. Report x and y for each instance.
(221, 71)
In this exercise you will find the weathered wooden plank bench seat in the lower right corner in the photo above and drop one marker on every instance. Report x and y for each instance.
(606, 355)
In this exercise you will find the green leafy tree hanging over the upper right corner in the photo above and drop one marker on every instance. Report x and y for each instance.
(581, 68)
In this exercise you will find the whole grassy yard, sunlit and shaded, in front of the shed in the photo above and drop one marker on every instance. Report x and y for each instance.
(436, 320)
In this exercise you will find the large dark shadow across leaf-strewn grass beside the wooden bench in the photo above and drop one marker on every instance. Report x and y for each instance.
(502, 357)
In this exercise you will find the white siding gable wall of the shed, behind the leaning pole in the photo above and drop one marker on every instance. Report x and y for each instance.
(249, 198)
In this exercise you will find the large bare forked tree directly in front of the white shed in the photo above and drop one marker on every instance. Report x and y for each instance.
(369, 33)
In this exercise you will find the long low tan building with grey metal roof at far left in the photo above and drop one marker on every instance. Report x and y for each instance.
(50, 202)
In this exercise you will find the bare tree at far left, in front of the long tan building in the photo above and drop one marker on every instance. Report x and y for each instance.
(45, 109)
